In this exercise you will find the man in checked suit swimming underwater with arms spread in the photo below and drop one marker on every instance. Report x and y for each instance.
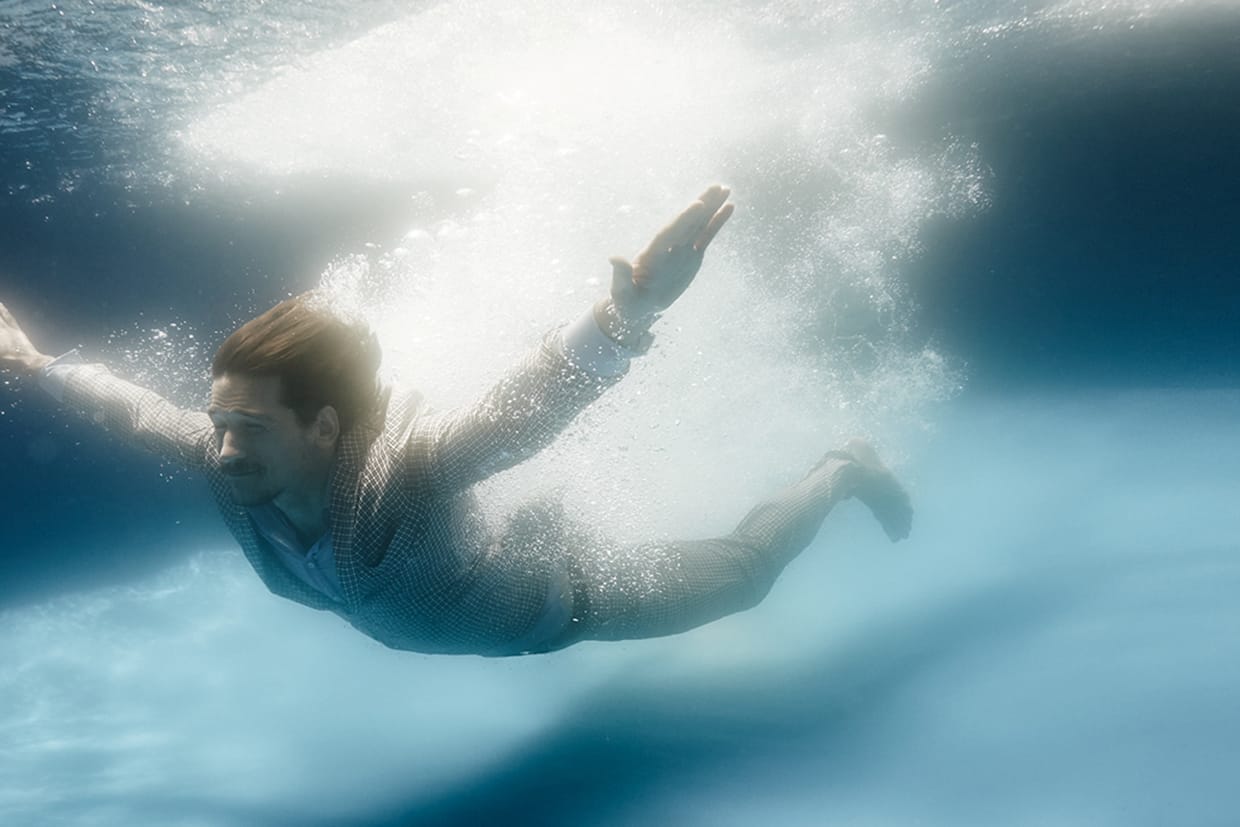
(354, 498)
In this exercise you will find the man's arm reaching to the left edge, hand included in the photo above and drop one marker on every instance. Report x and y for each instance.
(136, 415)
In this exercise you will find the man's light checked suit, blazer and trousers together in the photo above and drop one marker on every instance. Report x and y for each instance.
(421, 568)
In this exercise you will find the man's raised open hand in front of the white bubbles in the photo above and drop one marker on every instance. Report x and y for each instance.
(662, 272)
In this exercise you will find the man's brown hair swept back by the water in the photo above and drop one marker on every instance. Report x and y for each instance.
(319, 358)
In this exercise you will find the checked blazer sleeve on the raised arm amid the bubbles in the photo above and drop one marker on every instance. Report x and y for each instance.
(520, 416)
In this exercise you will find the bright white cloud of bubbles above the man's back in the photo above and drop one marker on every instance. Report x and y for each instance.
(539, 138)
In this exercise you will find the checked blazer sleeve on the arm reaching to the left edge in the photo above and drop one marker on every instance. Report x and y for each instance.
(141, 417)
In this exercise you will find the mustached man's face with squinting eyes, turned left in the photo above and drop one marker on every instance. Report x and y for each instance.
(265, 452)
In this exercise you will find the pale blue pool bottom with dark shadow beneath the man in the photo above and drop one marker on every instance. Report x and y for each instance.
(1026, 658)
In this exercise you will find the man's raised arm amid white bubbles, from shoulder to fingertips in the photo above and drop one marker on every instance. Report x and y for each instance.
(542, 395)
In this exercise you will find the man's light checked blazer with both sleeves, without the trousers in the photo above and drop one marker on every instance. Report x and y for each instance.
(415, 557)
